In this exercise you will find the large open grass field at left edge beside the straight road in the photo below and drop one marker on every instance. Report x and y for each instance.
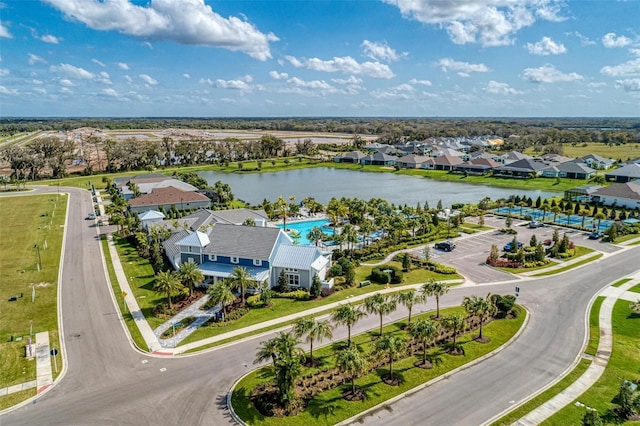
(26, 221)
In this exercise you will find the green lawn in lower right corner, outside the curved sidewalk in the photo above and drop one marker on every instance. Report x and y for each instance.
(622, 364)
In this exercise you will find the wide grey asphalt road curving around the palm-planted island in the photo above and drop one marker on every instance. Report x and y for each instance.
(108, 382)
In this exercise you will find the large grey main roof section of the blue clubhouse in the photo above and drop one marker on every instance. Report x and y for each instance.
(249, 242)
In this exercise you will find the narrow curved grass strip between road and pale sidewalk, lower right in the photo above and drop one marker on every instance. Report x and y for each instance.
(594, 338)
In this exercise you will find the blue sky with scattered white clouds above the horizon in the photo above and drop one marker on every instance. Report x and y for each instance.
(270, 58)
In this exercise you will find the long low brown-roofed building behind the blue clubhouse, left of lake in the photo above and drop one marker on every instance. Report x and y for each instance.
(168, 197)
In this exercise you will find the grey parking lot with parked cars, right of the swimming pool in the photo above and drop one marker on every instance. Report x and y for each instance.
(471, 251)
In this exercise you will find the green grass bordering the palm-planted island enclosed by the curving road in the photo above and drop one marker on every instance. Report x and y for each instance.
(330, 408)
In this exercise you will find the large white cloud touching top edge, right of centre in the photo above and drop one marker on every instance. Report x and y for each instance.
(488, 22)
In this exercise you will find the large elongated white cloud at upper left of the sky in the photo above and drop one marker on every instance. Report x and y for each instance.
(190, 22)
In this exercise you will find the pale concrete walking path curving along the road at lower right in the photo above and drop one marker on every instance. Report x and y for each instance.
(598, 364)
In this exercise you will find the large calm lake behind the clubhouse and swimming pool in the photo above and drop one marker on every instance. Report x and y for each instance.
(326, 182)
